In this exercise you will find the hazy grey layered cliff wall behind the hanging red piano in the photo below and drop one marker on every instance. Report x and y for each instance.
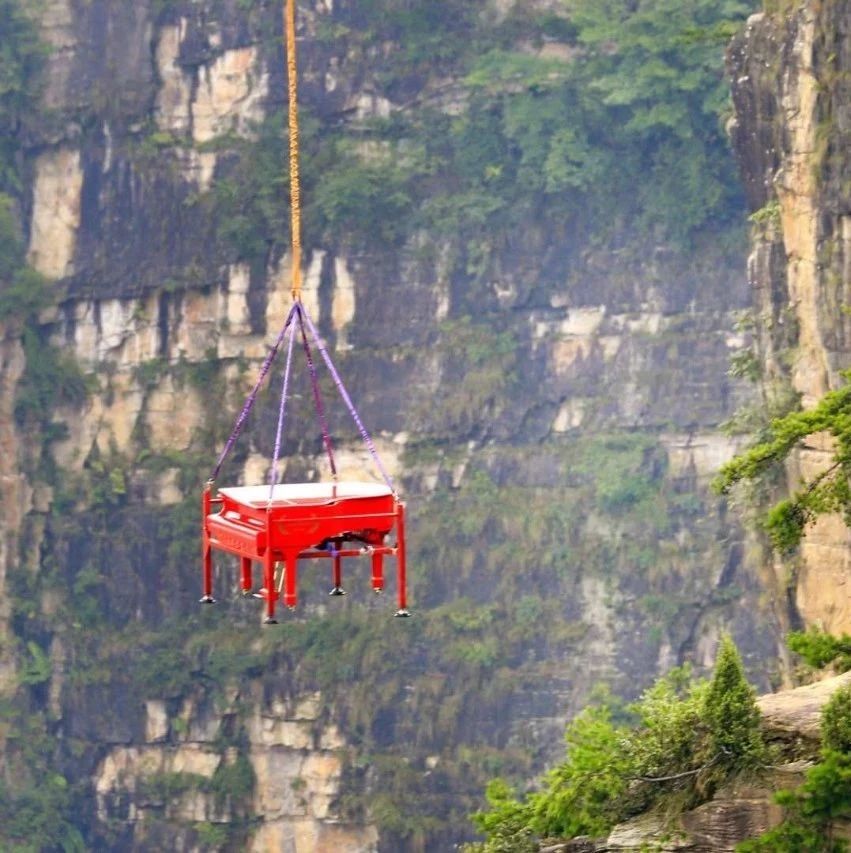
(556, 456)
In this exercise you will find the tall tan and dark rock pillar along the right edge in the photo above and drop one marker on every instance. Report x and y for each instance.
(789, 76)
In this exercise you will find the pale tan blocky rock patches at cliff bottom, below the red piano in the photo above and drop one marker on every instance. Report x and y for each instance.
(296, 762)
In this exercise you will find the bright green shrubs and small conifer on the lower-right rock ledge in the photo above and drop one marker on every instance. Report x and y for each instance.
(667, 751)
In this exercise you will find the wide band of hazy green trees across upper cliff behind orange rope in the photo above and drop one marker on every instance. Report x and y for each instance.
(616, 134)
